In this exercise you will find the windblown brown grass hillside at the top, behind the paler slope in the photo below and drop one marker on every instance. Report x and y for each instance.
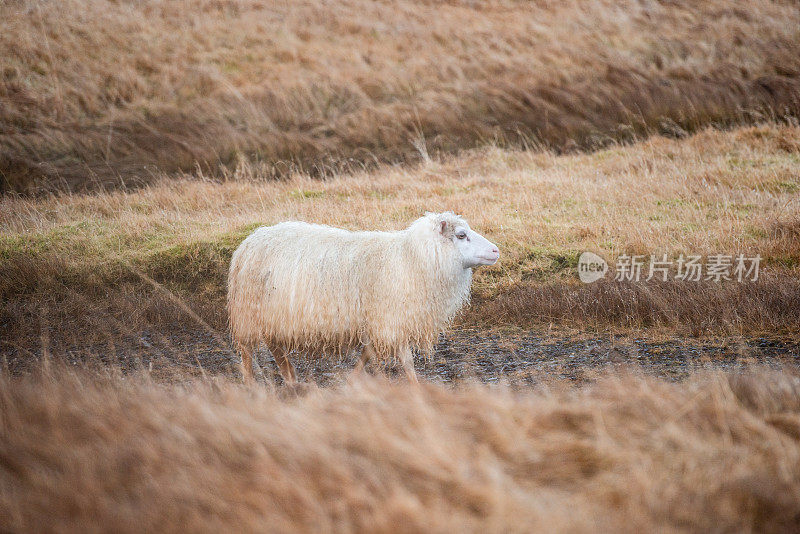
(105, 94)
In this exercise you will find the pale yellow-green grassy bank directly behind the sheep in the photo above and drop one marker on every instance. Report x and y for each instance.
(78, 261)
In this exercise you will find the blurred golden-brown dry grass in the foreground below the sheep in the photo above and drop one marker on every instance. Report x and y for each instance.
(625, 454)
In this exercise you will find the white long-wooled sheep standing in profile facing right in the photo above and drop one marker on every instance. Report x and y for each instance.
(315, 288)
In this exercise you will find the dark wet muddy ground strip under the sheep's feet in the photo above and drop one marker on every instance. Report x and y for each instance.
(489, 356)
